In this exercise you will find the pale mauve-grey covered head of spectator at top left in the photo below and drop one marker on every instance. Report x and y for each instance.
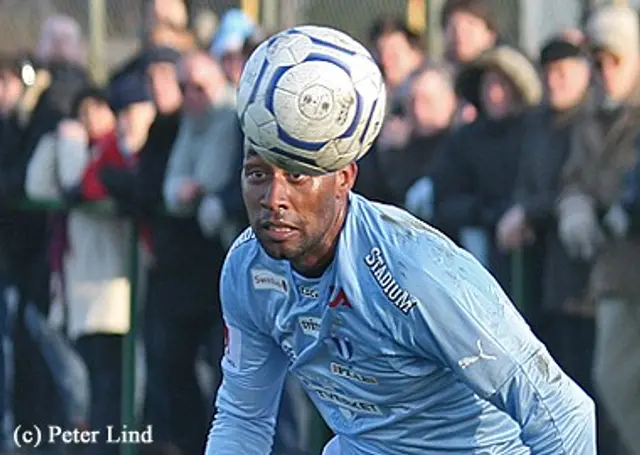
(61, 40)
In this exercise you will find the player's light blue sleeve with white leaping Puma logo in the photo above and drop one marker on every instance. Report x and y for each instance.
(467, 323)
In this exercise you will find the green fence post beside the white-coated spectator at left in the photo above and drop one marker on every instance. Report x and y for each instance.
(129, 348)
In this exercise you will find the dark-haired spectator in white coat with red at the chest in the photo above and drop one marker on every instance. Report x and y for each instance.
(96, 291)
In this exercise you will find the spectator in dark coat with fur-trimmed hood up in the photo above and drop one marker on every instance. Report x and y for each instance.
(474, 176)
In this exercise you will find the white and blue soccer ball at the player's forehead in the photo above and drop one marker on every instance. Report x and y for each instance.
(311, 100)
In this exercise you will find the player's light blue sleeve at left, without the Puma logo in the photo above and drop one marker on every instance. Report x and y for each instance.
(253, 369)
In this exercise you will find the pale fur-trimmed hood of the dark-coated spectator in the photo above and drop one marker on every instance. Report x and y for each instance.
(509, 61)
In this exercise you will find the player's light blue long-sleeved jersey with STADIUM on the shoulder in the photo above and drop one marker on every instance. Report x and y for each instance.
(406, 345)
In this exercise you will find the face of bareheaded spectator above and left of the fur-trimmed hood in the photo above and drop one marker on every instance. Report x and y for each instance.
(467, 36)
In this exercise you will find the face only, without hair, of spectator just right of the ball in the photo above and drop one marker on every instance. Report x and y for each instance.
(398, 58)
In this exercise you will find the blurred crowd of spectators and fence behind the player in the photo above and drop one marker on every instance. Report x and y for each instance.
(513, 126)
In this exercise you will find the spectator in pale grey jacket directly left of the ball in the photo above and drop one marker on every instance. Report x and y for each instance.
(201, 184)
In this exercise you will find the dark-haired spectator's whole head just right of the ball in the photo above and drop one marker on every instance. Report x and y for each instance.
(397, 48)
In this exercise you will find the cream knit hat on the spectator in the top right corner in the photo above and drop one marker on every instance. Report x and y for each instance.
(614, 29)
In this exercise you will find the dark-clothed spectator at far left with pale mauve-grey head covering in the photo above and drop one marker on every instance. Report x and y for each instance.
(61, 53)
